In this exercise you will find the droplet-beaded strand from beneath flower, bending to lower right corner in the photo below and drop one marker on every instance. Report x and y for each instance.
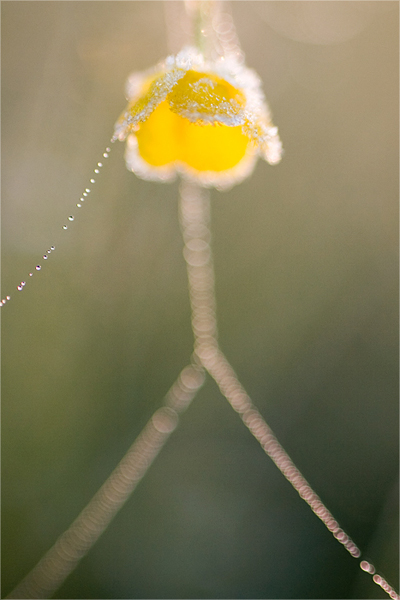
(195, 216)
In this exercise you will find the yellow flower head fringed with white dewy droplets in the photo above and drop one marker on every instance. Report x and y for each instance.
(206, 121)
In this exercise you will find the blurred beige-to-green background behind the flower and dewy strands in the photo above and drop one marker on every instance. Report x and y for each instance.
(306, 267)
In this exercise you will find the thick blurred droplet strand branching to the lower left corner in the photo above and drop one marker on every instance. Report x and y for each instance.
(62, 558)
